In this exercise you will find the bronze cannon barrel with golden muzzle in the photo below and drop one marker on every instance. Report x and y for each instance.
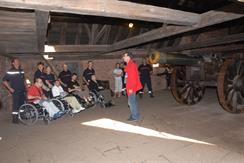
(172, 59)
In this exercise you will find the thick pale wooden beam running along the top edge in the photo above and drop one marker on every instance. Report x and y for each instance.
(108, 8)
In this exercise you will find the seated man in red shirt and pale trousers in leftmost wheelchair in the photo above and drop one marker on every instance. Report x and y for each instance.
(35, 95)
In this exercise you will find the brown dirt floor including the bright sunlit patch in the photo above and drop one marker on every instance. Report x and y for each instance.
(167, 132)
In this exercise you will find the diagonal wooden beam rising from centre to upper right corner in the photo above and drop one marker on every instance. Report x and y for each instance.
(207, 19)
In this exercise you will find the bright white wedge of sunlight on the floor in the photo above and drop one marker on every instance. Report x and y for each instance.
(120, 126)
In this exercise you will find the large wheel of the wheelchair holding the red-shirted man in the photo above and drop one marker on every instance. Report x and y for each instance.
(28, 114)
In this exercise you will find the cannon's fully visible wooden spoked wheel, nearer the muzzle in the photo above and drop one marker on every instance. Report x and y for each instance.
(185, 91)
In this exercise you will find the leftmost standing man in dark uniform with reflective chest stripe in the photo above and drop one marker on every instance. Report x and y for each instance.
(14, 81)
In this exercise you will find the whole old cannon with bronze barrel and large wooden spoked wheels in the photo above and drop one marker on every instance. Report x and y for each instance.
(192, 74)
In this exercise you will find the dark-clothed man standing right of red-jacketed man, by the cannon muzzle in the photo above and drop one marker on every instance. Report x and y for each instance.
(145, 70)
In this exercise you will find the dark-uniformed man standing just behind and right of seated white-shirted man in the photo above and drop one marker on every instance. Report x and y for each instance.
(65, 77)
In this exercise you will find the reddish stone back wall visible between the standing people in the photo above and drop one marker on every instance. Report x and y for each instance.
(103, 70)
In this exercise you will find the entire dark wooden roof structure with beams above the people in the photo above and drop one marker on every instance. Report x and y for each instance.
(99, 29)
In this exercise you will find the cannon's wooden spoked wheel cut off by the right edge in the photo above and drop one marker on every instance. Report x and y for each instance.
(231, 86)
